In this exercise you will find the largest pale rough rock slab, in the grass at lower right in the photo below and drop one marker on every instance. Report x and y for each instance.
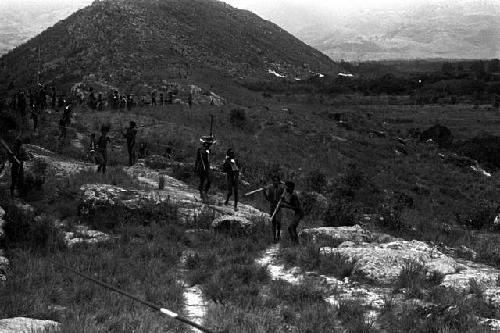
(382, 263)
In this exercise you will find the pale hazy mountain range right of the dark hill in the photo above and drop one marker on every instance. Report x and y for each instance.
(458, 29)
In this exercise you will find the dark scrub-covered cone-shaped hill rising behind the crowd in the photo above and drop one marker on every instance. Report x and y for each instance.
(125, 43)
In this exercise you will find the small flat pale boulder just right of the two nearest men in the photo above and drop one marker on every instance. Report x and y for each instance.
(334, 236)
